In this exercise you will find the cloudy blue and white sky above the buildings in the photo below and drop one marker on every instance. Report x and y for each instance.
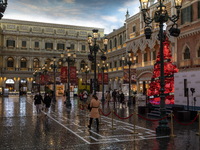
(107, 14)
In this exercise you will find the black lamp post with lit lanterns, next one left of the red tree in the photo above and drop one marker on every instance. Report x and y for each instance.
(129, 60)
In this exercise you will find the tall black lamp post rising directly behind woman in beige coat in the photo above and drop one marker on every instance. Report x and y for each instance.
(94, 48)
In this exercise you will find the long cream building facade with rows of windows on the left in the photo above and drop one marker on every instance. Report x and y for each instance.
(26, 46)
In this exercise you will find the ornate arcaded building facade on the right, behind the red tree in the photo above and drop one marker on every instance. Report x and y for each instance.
(185, 48)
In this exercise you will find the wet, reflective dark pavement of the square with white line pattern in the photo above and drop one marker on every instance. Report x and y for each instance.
(66, 129)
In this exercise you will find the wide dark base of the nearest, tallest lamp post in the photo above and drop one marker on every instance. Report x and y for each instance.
(163, 128)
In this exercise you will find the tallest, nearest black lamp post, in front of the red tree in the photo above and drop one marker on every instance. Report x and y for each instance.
(161, 16)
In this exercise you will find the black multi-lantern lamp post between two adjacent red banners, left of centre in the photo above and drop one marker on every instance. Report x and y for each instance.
(70, 59)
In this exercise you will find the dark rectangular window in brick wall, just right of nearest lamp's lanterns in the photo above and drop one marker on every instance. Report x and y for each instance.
(186, 14)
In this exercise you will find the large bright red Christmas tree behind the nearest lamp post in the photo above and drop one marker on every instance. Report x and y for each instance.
(169, 70)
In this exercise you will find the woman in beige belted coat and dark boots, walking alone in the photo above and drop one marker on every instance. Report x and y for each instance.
(94, 113)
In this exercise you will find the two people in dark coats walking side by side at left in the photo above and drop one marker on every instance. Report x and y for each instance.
(40, 102)
